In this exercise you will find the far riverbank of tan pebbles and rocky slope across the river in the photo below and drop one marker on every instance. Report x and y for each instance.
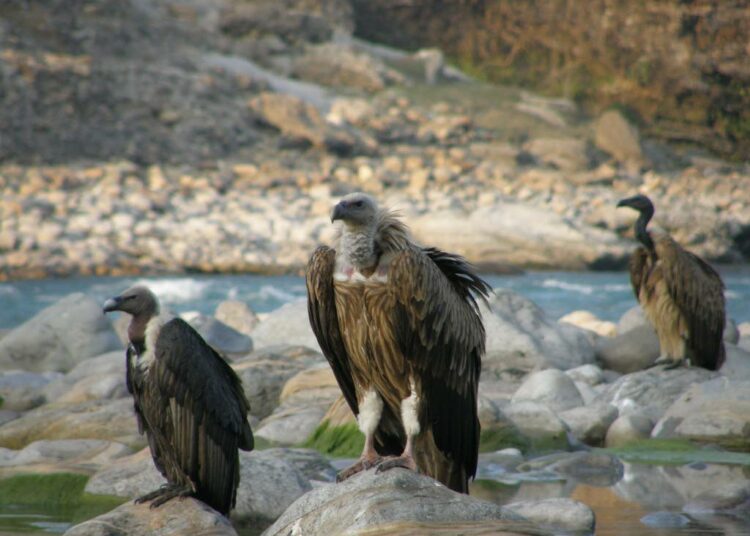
(225, 151)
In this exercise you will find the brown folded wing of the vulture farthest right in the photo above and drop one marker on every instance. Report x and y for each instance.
(698, 292)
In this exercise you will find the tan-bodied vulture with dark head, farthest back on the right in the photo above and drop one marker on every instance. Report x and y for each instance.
(681, 295)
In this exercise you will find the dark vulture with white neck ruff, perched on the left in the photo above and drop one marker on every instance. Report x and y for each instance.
(187, 400)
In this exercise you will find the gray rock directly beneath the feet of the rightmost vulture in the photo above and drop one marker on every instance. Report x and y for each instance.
(650, 392)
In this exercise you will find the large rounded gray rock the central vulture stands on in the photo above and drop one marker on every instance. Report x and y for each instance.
(395, 502)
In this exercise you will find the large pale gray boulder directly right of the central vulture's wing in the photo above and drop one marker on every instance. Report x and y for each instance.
(521, 336)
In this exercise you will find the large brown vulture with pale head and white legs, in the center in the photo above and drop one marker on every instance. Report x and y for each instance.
(401, 329)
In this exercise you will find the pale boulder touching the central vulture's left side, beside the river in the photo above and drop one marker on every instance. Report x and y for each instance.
(287, 325)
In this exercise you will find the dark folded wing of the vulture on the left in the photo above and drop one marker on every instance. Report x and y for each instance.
(207, 411)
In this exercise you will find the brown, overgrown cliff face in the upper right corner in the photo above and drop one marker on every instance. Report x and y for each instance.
(680, 65)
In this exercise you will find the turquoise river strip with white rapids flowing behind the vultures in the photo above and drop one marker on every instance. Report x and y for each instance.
(606, 294)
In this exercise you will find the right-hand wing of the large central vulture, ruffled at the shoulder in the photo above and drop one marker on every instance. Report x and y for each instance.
(438, 326)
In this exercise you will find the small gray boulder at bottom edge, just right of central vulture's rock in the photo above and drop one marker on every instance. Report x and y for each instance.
(558, 514)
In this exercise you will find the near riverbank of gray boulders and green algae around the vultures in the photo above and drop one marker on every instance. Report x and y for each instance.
(551, 395)
